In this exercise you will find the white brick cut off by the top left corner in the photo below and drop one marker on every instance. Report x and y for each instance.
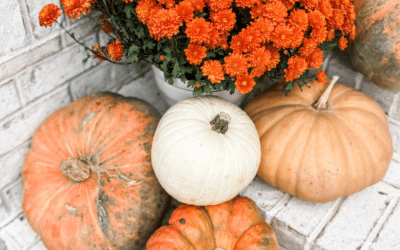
(12, 30)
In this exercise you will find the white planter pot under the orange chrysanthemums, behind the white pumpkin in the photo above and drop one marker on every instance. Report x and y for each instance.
(179, 91)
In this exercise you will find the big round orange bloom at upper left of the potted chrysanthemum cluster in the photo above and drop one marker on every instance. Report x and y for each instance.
(165, 23)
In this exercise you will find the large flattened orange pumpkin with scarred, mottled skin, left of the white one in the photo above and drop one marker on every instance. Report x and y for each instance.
(87, 179)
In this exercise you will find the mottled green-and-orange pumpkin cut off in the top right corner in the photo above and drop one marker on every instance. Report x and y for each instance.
(375, 51)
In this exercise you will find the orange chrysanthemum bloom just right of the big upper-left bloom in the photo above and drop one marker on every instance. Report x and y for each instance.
(198, 30)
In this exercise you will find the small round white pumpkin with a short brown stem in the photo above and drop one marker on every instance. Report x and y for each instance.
(202, 164)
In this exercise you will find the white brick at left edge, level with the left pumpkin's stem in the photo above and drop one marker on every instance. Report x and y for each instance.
(11, 165)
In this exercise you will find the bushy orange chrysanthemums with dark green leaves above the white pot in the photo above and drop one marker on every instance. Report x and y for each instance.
(219, 44)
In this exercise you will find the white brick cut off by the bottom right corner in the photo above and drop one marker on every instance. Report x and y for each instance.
(388, 237)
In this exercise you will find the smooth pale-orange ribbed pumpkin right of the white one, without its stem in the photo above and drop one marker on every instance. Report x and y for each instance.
(320, 155)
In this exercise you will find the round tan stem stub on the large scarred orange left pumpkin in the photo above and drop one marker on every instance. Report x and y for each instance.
(75, 169)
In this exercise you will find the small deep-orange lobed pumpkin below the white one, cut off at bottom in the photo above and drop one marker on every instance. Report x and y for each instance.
(233, 225)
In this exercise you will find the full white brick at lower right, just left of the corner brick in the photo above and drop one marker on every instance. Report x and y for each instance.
(354, 220)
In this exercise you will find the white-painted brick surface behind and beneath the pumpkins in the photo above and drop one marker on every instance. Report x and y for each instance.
(41, 70)
